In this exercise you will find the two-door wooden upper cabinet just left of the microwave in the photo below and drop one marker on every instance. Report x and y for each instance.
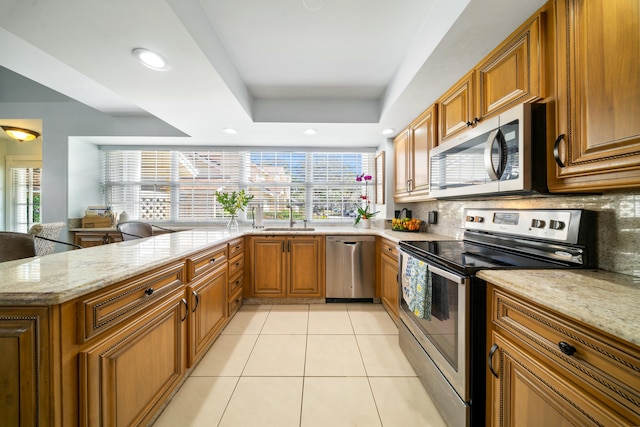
(411, 154)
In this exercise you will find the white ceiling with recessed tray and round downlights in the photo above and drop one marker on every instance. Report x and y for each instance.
(268, 68)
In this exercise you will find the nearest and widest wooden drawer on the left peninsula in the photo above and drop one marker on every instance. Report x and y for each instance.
(102, 310)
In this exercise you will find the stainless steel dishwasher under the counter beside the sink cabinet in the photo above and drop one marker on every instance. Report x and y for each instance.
(350, 268)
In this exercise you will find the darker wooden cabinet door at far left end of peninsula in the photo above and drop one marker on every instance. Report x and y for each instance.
(24, 374)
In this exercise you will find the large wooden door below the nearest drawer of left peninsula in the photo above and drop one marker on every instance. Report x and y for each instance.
(125, 378)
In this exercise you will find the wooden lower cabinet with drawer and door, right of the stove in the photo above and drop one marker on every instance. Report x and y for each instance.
(548, 370)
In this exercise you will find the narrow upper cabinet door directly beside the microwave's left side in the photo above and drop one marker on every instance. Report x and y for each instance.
(424, 138)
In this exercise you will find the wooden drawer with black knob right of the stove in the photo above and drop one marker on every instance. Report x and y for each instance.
(595, 361)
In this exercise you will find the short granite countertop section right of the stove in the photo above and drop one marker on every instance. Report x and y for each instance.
(607, 301)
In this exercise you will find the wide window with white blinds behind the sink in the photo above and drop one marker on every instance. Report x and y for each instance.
(180, 185)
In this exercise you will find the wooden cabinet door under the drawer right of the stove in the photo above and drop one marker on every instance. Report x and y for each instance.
(529, 393)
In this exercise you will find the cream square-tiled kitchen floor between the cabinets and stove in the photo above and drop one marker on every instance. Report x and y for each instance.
(304, 365)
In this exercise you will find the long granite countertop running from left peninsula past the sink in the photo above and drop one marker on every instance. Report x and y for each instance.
(60, 277)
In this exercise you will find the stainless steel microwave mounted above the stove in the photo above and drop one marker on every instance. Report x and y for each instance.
(502, 155)
